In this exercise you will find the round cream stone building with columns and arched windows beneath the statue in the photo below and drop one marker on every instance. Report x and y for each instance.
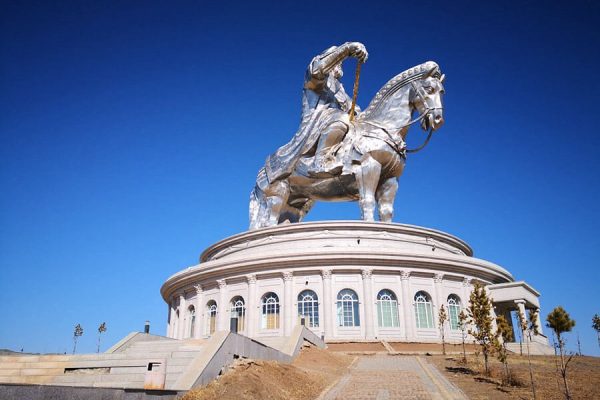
(344, 280)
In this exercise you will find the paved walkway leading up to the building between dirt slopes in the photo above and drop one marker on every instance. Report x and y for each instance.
(383, 377)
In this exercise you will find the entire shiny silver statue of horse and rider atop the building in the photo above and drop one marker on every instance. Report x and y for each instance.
(341, 153)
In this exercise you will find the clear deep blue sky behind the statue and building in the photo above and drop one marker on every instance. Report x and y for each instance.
(131, 134)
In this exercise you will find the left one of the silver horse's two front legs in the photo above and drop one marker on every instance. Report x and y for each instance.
(367, 177)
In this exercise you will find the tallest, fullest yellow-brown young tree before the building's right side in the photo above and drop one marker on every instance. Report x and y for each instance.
(480, 318)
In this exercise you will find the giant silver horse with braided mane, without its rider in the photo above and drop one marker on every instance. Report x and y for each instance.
(374, 148)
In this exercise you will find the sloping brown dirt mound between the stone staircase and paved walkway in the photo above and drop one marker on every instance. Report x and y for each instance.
(310, 373)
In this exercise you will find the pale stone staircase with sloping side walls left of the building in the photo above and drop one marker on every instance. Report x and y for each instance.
(146, 362)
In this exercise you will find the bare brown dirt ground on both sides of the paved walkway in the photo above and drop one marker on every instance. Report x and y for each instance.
(314, 370)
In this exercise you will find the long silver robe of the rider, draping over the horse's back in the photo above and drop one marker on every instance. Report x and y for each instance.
(324, 101)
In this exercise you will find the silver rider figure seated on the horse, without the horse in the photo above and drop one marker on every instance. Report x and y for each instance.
(325, 121)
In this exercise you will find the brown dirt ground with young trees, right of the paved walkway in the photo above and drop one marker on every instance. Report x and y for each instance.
(583, 376)
